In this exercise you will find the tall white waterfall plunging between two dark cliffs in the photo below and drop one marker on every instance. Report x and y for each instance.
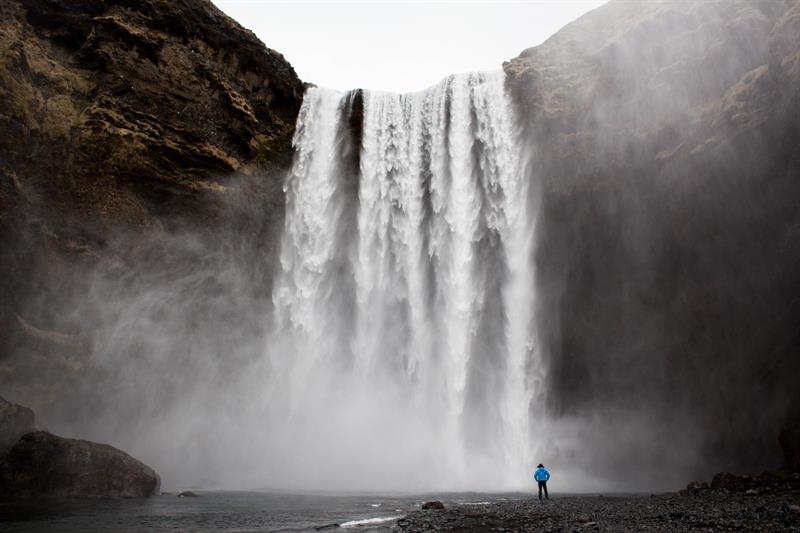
(403, 340)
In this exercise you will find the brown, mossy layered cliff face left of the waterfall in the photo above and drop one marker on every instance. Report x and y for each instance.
(131, 132)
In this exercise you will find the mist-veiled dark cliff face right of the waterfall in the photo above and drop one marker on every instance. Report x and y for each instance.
(664, 140)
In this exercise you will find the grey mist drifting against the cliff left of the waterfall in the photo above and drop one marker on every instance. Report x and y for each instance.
(165, 369)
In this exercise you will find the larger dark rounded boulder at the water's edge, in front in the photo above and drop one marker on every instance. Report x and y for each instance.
(42, 464)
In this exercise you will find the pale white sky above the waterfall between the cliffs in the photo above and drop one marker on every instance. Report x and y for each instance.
(400, 46)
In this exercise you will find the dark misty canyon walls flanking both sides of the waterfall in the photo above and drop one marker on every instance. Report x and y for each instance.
(143, 148)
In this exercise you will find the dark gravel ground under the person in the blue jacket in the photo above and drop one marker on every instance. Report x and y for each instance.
(763, 509)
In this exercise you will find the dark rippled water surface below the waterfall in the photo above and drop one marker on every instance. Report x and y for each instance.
(224, 511)
